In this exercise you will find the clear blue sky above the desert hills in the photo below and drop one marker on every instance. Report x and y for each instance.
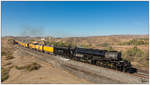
(67, 19)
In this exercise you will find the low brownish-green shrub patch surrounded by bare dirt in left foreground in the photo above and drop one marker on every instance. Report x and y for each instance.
(30, 67)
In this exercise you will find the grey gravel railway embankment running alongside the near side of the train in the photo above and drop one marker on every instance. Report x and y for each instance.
(90, 72)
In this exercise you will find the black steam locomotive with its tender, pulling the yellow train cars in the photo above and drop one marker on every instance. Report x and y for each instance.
(104, 58)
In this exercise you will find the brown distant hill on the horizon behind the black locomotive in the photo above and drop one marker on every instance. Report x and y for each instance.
(96, 40)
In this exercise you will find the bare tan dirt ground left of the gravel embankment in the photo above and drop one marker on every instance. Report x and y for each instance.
(47, 74)
